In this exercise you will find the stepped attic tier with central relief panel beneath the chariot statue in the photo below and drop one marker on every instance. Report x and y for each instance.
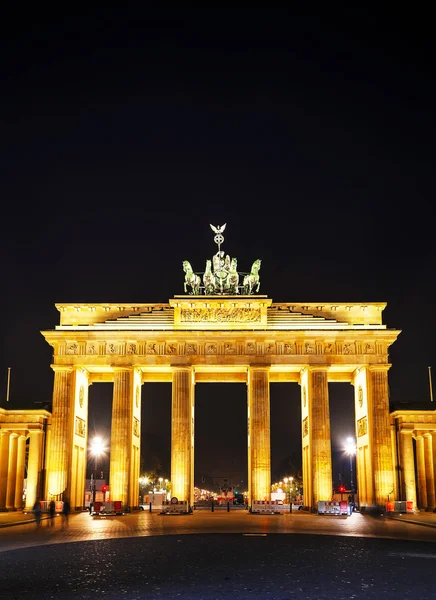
(221, 313)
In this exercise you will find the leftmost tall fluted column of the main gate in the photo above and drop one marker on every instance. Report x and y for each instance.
(59, 450)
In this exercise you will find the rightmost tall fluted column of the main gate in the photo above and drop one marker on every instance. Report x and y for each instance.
(382, 463)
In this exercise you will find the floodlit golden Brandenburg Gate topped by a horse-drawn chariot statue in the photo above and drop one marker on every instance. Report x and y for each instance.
(221, 330)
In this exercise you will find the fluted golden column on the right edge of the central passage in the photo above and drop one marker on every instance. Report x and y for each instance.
(259, 434)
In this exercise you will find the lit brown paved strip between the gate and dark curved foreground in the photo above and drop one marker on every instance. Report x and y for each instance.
(18, 530)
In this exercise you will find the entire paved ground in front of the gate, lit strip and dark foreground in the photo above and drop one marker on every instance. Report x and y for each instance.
(210, 556)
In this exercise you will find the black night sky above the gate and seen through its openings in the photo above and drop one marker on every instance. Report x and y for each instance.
(126, 132)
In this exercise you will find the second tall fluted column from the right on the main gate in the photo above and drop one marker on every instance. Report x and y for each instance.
(320, 436)
